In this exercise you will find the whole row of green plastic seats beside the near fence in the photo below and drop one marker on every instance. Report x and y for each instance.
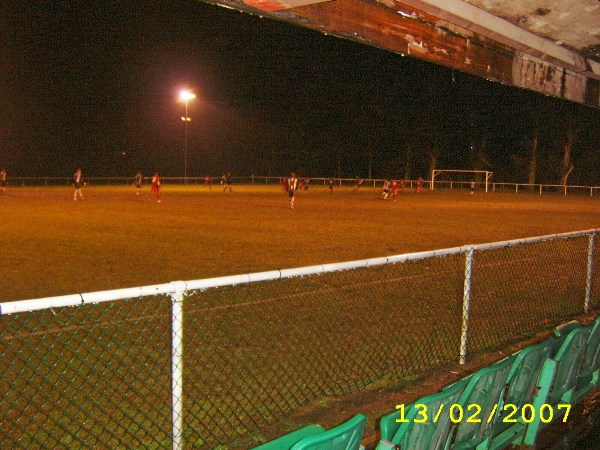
(506, 403)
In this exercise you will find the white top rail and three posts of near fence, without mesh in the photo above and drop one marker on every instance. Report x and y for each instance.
(177, 292)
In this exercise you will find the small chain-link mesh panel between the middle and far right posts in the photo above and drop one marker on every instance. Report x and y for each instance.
(523, 288)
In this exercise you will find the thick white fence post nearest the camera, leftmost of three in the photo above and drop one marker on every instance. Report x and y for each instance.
(177, 363)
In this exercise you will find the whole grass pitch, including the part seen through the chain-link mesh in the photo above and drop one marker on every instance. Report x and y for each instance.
(99, 375)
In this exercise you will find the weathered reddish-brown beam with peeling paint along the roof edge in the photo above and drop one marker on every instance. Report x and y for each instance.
(468, 40)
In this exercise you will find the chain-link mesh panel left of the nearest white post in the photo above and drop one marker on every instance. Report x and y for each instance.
(90, 376)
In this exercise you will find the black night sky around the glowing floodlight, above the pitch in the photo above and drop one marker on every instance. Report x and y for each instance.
(95, 84)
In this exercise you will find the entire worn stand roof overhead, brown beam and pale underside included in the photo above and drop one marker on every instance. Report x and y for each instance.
(548, 46)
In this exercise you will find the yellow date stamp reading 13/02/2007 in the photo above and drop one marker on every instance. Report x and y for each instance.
(473, 413)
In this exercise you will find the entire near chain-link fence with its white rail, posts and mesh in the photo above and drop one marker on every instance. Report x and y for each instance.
(213, 363)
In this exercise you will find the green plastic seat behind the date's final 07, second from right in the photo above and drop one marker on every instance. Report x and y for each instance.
(557, 381)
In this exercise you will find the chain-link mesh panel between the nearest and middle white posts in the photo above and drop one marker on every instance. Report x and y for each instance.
(257, 352)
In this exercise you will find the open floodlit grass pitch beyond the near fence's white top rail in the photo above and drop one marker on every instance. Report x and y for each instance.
(52, 245)
